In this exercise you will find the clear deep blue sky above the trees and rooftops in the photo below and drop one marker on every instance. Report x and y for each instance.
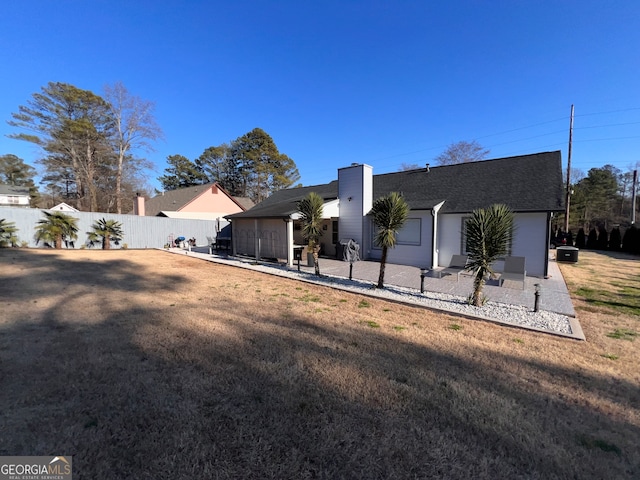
(336, 82)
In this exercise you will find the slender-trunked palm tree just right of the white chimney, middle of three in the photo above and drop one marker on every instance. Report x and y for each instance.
(389, 215)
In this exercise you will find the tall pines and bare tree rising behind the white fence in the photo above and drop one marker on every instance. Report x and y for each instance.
(89, 143)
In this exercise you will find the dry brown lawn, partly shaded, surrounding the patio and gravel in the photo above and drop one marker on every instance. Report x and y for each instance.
(147, 365)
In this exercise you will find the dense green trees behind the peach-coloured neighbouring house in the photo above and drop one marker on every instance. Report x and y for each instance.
(249, 166)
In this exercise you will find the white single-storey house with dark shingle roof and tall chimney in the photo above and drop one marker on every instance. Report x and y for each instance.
(440, 198)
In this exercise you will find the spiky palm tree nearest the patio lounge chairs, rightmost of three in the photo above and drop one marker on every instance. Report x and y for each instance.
(489, 234)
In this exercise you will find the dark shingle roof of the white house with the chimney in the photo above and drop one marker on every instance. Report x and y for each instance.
(527, 183)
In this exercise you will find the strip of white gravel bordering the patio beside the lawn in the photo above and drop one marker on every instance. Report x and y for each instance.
(515, 315)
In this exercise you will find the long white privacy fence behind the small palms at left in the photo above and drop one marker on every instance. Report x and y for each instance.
(139, 232)
